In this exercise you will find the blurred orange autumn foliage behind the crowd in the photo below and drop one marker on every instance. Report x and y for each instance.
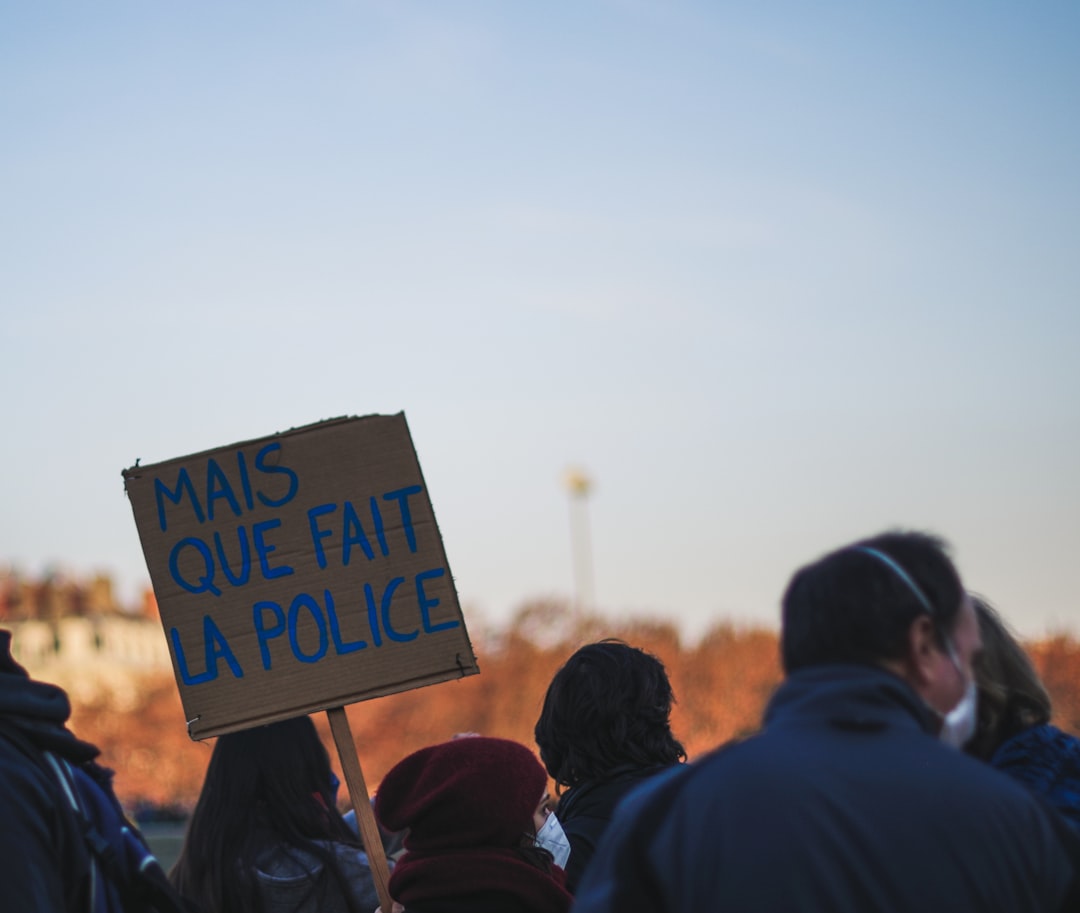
(722, 684)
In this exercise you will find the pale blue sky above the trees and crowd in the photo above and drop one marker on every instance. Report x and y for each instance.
(777, 277)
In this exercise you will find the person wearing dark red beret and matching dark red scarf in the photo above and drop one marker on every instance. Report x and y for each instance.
(471, 809)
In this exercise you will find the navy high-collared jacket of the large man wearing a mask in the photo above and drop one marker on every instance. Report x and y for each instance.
(844, 803)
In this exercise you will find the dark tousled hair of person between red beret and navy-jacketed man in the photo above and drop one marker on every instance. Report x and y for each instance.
(609, 707)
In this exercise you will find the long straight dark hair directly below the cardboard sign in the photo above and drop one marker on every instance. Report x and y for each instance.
(265, 788)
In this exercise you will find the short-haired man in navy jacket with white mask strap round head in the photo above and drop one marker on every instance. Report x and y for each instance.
(850, 799)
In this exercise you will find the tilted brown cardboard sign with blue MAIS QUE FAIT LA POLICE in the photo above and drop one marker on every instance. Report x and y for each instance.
(299, 573)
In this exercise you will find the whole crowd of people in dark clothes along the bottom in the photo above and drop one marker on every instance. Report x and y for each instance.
(907, 763)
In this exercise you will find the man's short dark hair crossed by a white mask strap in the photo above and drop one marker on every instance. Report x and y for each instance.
(852, 607)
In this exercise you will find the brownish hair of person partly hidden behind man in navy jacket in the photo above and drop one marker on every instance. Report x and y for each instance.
(1011, 696)
